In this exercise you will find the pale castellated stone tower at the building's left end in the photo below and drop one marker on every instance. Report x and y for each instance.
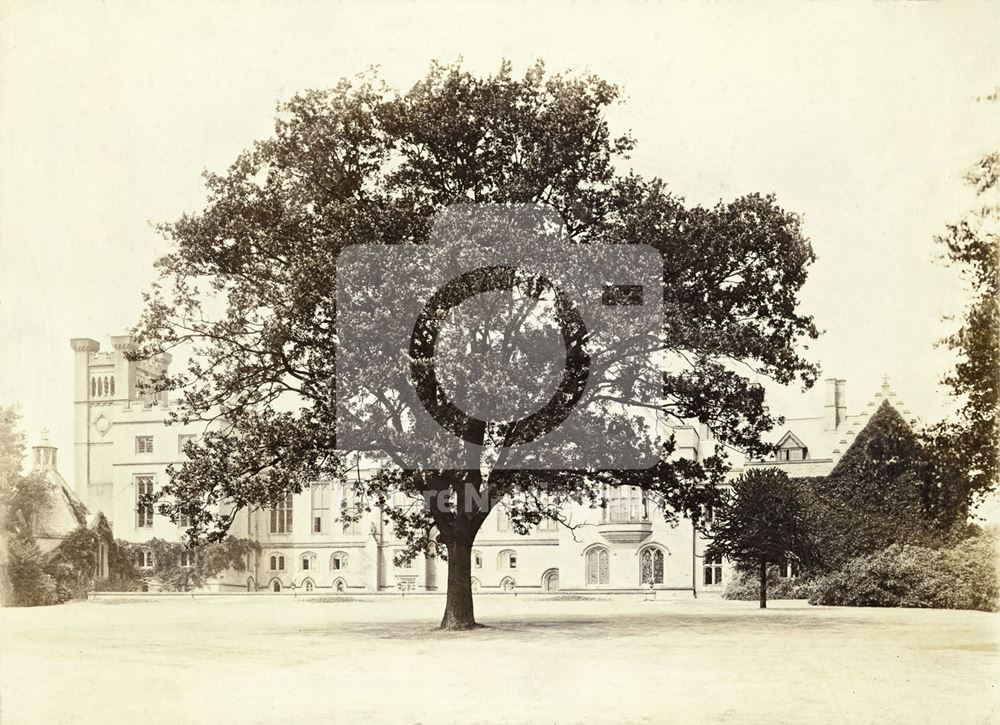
(121, 444)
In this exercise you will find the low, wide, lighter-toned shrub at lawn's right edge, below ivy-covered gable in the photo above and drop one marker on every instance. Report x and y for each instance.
(963, 576)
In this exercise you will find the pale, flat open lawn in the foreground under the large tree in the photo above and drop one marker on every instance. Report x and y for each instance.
(267, 659)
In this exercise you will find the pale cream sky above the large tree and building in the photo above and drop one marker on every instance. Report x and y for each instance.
(862, 118)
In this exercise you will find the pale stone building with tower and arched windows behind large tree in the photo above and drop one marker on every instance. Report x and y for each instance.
(122, 448)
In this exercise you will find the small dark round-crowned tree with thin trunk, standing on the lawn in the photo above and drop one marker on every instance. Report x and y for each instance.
(766, 520)
